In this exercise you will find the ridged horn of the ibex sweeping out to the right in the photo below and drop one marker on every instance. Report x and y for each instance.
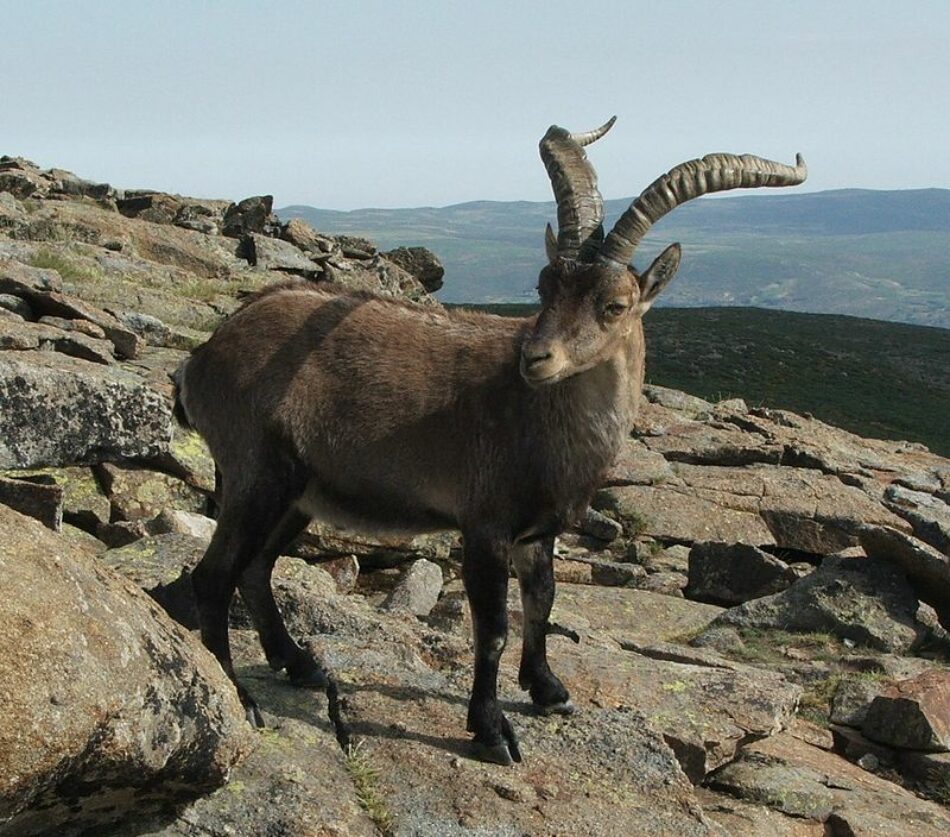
(713, 173)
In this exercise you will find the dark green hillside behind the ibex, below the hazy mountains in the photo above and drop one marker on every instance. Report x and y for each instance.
(878, 379)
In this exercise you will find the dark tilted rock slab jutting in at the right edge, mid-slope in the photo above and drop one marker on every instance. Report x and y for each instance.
(927, 569)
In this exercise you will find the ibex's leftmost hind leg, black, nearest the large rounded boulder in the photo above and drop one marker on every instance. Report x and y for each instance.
(247, 519)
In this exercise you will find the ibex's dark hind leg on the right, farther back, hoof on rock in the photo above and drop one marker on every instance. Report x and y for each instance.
(255, 585)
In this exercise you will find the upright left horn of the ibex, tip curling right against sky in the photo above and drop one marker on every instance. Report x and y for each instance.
(580, 207)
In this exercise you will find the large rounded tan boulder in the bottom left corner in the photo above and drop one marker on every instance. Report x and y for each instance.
(110, 710)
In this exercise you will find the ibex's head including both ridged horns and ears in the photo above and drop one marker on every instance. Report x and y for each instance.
(591, 295)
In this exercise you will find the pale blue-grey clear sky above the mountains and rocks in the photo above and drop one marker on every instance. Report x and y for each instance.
(353, 104)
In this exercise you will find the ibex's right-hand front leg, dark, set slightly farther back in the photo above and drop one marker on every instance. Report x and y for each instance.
(534, 565)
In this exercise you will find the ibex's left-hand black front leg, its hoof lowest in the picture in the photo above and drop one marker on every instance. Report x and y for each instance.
(485, 572)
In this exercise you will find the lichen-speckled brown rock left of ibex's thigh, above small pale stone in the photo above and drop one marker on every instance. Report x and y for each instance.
(139, 493)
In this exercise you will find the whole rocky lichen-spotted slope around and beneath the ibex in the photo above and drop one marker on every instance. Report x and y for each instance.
(752, 619)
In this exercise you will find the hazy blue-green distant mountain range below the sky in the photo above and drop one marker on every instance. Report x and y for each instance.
(877, 254)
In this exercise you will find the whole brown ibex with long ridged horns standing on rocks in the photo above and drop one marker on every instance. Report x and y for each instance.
(377, 414)
